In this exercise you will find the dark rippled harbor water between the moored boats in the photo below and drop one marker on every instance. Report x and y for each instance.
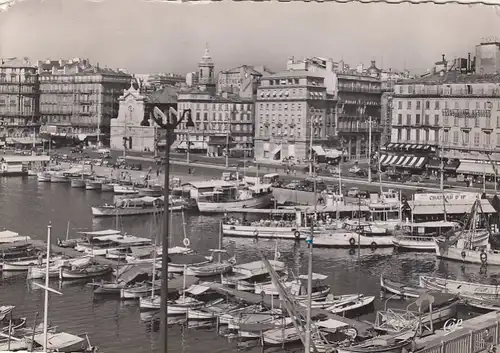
(27, 206)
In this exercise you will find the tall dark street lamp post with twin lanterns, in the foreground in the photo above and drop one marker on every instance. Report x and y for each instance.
(164, 123)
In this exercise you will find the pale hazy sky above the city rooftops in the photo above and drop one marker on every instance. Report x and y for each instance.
(148, 37)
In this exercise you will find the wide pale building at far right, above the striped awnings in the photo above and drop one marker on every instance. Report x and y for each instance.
(454, 112)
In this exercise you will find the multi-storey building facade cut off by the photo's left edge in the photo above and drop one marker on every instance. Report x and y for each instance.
(19, 102)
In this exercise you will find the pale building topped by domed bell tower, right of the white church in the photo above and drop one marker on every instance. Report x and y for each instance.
(222, 121)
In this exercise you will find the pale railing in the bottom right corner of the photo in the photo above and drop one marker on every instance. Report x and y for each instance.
(469, 336)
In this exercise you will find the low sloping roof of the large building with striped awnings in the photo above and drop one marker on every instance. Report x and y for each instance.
(454, 77)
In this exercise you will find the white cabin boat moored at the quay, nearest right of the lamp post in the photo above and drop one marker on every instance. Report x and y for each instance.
(223, 199)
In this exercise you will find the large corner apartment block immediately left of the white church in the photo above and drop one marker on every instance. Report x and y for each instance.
(78, 100)
